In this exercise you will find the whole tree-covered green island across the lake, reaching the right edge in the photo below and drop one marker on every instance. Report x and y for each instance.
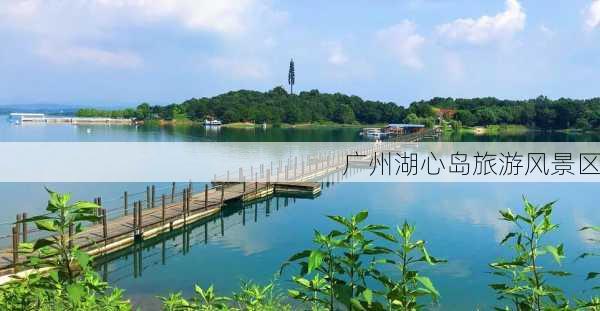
(248, 109)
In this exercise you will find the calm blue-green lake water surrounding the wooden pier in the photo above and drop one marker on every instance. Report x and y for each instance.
(459, 221)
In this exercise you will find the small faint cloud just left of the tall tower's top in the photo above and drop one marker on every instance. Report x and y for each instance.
(239, 69)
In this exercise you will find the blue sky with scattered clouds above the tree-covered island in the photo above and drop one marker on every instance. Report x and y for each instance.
(107, 52)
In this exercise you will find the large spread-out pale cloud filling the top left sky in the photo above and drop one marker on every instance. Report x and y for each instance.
(84, 30)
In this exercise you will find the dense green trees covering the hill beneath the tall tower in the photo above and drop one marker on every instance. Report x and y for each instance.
(274, 106)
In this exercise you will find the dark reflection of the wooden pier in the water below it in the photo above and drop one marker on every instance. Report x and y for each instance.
(223, 228)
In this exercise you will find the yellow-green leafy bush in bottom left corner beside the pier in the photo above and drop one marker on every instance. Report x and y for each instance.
(68, 281)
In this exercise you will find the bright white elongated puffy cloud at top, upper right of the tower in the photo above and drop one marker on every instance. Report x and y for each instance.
(486, 29)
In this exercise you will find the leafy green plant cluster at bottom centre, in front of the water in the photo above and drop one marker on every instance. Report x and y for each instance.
(345, 264)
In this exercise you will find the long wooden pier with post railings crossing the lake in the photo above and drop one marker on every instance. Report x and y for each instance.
(146, 214)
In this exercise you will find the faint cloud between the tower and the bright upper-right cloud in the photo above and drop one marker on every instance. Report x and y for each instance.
(403, 42)
